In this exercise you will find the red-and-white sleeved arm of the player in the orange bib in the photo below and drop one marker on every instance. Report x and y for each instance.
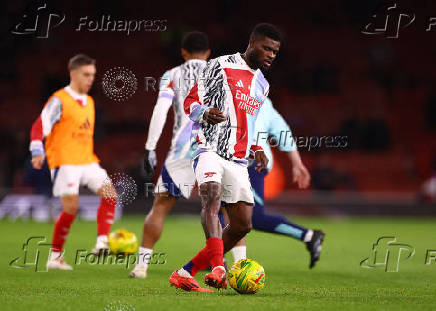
(43, 125)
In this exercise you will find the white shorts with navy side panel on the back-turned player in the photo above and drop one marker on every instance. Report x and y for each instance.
(177, 178)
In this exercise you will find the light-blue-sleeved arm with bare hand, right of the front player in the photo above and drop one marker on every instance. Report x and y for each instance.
(281, 133)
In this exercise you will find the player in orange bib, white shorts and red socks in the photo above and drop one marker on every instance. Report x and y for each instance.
(67, 125)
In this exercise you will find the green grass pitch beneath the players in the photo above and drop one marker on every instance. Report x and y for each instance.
(338, 282)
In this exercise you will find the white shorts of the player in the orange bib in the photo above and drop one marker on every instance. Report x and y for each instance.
(68, 178)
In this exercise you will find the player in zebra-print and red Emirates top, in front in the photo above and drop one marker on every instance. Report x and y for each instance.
(224, 105)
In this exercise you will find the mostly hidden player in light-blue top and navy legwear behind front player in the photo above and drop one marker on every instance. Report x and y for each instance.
(272, 128)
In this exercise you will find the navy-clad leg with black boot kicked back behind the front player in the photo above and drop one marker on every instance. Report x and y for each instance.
(278, 224)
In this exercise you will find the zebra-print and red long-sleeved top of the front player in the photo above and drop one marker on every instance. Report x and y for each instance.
(238, 91)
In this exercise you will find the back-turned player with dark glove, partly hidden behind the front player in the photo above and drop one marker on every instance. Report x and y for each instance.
(177, 178)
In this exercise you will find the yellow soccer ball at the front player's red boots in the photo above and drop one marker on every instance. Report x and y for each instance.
(246, 276)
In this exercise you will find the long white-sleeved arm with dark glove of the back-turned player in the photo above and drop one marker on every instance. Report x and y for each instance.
(158, 119)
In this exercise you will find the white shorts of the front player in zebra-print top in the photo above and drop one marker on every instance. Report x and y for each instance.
(233, 177)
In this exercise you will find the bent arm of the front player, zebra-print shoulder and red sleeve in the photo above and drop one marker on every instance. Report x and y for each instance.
(199, 94)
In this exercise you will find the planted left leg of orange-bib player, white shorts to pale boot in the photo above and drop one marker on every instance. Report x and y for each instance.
(65, 185)
